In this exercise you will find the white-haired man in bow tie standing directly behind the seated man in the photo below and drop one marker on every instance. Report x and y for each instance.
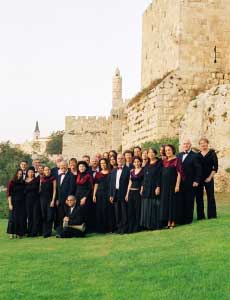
(65, 186)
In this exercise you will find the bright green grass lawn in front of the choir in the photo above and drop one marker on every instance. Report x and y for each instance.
(189, 262)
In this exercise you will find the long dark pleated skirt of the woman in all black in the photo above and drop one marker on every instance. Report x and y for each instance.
(150, 213)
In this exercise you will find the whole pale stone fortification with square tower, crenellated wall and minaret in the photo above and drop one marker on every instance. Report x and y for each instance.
(185, 52)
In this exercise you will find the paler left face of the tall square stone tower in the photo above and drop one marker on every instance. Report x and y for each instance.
(160, 40)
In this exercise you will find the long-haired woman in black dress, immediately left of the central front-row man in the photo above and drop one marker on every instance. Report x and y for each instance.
(101, 197)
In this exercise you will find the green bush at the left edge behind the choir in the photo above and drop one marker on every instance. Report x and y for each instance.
(9, 161)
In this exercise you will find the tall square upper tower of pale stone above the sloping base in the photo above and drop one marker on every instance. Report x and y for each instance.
(182, 34)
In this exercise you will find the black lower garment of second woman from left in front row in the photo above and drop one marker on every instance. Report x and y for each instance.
(33, 216)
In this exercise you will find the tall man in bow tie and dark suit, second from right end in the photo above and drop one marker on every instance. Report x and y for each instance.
(192, 171)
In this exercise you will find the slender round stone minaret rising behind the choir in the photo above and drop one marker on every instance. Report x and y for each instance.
(117, 110)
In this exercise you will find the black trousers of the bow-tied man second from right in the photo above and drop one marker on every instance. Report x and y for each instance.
(188, 199)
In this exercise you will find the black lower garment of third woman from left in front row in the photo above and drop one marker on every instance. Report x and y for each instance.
(47, 216)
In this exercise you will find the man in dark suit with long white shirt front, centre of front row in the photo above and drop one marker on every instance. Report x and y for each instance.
(118, 189)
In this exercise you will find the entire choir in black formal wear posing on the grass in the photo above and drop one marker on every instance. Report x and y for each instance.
(113, 193)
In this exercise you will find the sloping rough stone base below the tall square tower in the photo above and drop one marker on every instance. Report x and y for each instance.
(157, 114)
